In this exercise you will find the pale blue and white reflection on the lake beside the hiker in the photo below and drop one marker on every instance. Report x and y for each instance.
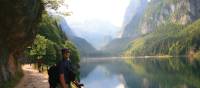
(100, 77)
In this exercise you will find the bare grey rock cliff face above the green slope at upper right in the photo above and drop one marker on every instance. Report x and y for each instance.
(174, 11)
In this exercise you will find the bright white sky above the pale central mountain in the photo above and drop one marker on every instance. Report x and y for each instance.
(107, 10)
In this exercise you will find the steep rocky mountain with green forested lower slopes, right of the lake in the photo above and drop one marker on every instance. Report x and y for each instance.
(151, 17)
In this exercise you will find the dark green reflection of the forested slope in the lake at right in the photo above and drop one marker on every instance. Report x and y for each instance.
(170, 72)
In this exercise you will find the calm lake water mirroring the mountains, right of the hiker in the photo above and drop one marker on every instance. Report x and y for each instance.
(140, 73)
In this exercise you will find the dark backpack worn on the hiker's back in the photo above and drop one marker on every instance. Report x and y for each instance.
(53, 76)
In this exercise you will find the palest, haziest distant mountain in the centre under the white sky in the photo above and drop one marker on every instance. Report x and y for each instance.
(97, 32)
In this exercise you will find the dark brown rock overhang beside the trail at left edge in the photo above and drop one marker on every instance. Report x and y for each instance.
(18, 20)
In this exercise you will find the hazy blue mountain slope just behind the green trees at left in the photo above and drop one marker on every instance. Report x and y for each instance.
(84, 47)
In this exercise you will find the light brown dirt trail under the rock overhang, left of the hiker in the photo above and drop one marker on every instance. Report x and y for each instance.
(33, 79)
